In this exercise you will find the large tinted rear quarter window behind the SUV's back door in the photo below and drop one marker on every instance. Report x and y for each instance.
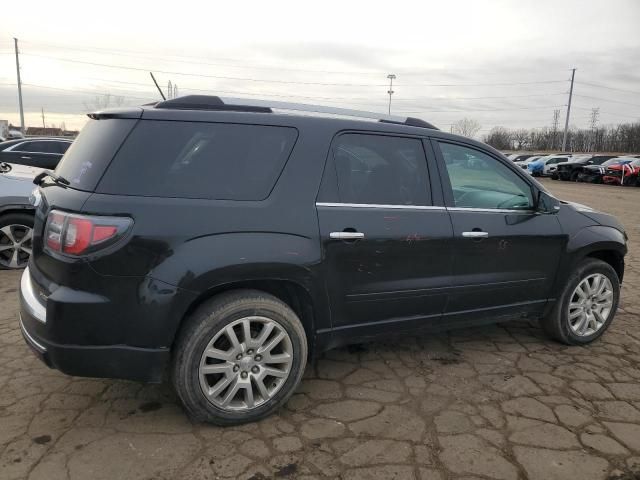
(199, 160)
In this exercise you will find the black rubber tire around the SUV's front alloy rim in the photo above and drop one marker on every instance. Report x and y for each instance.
(558, 324)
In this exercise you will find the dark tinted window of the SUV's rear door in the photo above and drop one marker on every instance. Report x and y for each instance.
(384, 170)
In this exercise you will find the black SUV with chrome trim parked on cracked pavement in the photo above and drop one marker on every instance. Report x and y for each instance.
(227, 241)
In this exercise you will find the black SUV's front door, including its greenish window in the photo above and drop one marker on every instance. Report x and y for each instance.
(505, 254)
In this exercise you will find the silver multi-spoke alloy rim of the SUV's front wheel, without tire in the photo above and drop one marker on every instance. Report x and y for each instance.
(590, 304)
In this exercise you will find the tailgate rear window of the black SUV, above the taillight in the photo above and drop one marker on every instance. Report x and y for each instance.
(89, 155)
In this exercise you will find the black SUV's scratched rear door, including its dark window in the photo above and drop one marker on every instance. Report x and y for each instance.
(386, 243)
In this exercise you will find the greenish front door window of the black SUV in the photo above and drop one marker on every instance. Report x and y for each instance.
(481, 181)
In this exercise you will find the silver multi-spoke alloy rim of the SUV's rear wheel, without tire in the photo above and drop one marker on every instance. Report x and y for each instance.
(246, 363)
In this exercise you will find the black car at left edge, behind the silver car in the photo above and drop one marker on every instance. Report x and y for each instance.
(39, 152)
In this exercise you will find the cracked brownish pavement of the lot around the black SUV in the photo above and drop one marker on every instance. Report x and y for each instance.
(498, 402)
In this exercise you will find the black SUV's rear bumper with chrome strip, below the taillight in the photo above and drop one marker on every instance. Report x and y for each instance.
(105, 361)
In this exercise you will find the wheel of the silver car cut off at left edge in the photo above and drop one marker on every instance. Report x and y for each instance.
(13, 229)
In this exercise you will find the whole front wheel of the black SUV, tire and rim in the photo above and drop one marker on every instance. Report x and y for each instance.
(587, 305)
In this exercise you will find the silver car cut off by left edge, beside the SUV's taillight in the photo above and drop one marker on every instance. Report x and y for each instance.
(16, 214)
